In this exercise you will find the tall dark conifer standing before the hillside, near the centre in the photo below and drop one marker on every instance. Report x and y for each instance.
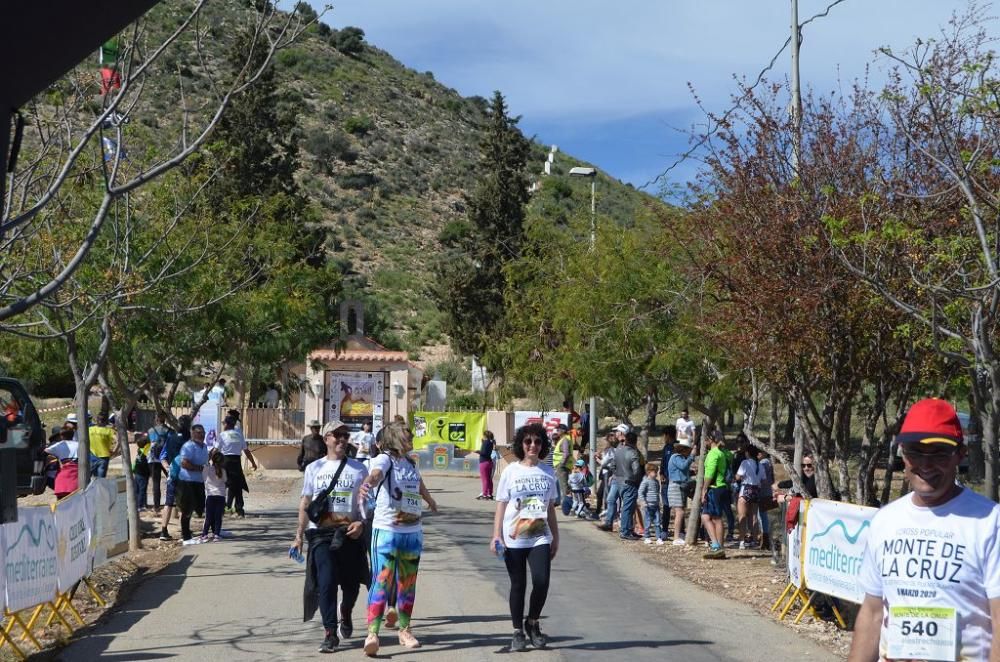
(471, 288)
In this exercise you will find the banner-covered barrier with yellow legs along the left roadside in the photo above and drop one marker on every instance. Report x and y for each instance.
(50, 551)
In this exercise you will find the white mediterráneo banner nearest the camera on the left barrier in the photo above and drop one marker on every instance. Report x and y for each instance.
(31, 566)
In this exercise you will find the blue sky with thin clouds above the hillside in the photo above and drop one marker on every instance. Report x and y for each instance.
(608, 82)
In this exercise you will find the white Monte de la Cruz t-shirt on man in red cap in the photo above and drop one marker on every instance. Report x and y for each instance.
(946, 558)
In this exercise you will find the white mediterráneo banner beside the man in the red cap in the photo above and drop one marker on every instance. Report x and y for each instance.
(834, 546)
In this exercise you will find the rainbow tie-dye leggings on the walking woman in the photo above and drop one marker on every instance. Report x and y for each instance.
(394, 557)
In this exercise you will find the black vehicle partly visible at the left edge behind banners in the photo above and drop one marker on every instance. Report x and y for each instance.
(21, 429)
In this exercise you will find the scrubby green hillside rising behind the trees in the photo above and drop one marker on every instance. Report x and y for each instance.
(387, 154)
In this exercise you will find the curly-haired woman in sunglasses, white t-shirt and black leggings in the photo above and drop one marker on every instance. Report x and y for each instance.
(525, 530)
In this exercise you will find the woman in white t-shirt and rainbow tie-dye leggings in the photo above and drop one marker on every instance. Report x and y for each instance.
(397, 533)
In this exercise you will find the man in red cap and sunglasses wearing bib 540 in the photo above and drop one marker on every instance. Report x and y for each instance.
(931, 570)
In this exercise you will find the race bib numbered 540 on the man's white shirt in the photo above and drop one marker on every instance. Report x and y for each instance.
(923, 633)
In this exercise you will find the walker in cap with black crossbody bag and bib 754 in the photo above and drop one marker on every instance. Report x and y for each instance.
(336, 551)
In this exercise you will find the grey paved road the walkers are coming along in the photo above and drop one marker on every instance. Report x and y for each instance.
(241, 600)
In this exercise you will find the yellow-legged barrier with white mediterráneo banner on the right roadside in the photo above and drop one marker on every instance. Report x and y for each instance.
(825, 551)
